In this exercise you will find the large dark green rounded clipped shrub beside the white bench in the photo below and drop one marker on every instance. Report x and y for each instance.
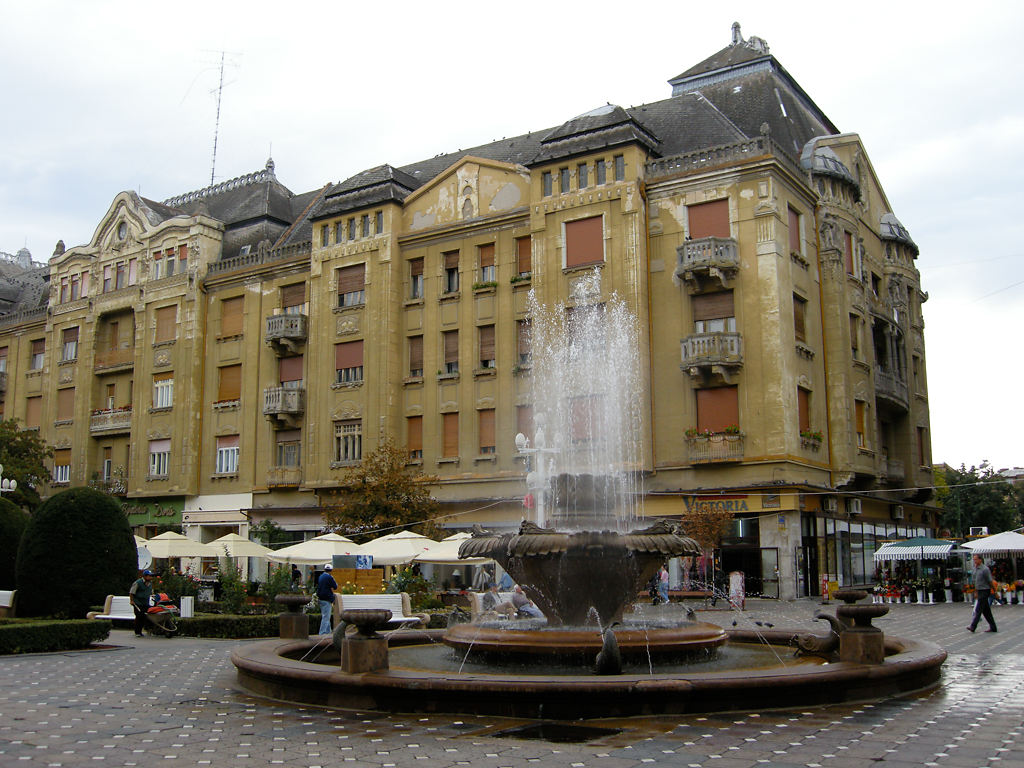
(77, 549)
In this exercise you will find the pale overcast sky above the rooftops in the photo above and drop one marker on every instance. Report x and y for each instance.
(104, 97)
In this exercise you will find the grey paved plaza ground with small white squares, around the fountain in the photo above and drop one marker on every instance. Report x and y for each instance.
(148, 701)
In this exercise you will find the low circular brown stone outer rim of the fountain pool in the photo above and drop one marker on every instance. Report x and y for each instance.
(266, 669)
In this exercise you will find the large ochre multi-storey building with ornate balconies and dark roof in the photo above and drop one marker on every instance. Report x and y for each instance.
(229, 353)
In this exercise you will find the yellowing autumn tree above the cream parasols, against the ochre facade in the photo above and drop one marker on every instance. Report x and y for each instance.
(381, 493)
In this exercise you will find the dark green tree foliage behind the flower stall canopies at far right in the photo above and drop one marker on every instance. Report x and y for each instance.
(977, 497)
